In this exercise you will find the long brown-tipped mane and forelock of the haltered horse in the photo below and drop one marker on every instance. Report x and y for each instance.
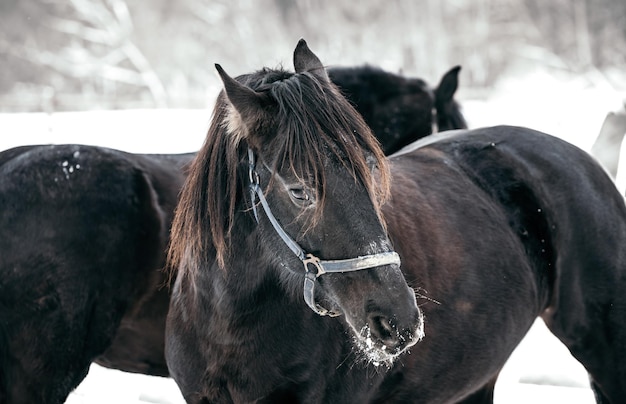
(306, 117)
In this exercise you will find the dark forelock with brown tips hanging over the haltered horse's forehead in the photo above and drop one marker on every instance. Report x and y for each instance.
(315, 119)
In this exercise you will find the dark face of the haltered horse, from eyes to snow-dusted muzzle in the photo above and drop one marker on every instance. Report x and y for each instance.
(377, 304)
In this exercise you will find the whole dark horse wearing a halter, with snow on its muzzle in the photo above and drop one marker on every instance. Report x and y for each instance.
(278, 226)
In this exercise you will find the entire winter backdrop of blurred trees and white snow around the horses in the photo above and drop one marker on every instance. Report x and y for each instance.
(117, 74)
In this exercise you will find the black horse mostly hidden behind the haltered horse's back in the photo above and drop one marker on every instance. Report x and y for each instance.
(400, 109)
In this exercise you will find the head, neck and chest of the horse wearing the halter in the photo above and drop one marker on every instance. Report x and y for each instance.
(292, 143)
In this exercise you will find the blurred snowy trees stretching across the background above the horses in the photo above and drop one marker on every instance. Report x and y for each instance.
(77, 54)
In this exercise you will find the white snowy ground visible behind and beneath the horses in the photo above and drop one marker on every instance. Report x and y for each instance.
(541, 369)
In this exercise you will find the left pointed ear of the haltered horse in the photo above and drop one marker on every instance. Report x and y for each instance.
(248, 103)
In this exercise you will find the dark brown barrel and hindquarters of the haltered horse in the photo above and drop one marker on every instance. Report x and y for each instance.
(502, 225)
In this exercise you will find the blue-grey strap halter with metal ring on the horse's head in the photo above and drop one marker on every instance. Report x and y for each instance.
(310, 261)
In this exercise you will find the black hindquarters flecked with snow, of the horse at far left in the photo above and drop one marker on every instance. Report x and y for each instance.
(85, 231)
